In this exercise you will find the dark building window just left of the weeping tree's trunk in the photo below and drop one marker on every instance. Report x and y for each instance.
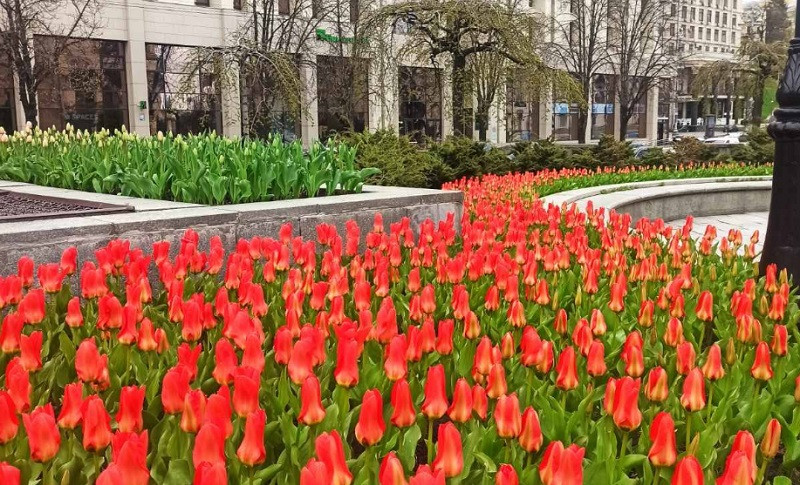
(420, 102)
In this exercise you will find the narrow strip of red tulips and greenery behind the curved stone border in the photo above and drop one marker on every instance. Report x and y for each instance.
(546, 182)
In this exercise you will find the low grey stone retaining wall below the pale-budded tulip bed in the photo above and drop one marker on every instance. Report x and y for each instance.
(155, 220)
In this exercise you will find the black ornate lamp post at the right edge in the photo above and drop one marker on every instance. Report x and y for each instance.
(782, 242)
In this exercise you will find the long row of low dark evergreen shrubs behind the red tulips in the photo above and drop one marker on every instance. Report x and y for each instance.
(405, 163)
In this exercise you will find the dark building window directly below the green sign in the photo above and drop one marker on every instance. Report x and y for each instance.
(342, 95)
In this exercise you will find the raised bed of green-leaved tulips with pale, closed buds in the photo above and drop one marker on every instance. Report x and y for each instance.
(202, 169)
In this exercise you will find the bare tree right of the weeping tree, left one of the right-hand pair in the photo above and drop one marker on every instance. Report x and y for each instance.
(580, 45)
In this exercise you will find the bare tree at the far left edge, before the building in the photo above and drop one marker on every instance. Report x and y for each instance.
(63, 22)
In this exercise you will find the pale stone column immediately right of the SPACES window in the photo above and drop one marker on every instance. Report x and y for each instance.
(136, 70)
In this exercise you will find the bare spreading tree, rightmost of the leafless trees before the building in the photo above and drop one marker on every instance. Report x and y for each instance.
(642, 52)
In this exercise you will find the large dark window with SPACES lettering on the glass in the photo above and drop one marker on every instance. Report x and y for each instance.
(88, 89)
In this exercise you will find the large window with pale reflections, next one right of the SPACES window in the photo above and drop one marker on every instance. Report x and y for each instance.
(183, 91)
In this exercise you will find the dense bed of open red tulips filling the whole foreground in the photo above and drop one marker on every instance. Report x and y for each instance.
(541, 345)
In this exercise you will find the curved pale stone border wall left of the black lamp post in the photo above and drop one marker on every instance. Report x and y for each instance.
(676, 198)
